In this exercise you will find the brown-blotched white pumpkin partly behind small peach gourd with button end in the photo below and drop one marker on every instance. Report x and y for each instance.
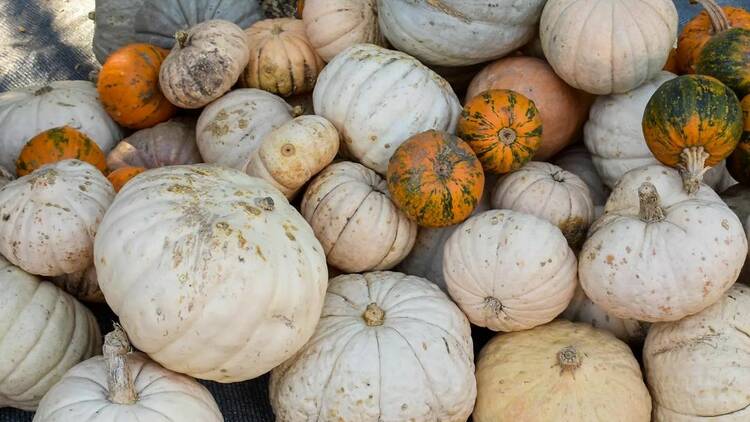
(232, 127)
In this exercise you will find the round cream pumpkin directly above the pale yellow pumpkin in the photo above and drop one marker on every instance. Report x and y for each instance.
(509, 271)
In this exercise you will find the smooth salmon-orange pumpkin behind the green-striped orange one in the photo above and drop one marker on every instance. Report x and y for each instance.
(563, 109)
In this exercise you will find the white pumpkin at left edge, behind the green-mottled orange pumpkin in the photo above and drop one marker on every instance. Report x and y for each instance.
(26, 112)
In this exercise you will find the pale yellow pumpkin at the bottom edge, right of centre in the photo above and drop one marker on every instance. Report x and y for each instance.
(560, 372)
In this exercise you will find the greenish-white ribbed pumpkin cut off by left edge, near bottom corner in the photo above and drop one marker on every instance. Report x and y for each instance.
(45, 333)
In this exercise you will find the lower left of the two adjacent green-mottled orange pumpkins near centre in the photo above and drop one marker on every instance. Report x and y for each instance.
(435, 178)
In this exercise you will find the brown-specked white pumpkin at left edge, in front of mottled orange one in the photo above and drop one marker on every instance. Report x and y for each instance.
(48, 218)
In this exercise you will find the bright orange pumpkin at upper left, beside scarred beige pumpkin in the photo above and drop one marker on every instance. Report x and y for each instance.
(129, 89)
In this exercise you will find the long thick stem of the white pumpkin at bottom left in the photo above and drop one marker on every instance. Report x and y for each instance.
(119, 381)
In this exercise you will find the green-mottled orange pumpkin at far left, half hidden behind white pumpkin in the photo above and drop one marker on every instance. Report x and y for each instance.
(58, 144)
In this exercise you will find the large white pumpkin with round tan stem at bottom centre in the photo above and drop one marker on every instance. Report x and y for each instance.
(389, 347)
